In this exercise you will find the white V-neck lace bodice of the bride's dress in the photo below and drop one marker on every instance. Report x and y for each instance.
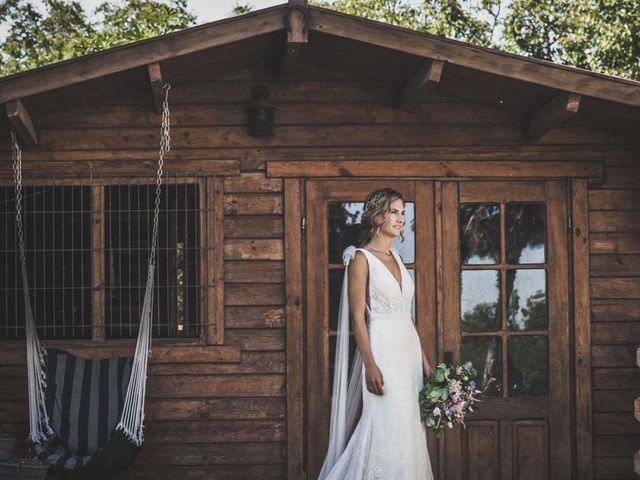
(385, 293)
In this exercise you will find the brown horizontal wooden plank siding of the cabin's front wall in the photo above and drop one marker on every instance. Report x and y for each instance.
(212, 418)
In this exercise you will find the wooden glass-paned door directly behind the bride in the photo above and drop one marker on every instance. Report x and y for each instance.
(331, 207)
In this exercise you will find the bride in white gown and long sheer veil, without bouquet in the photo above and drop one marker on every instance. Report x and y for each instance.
(389, 441)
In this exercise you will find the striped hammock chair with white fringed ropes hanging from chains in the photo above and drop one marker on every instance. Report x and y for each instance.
(86, 416)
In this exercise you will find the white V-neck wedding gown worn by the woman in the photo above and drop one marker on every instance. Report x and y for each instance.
(389, 441)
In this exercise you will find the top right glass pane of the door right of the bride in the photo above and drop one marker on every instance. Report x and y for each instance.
(525, 233)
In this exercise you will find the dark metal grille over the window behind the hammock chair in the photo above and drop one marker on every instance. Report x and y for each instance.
(59, 224)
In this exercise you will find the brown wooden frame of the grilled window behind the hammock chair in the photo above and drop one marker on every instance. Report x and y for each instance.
(211, 259)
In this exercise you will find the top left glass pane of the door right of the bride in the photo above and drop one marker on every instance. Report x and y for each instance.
(479, 234)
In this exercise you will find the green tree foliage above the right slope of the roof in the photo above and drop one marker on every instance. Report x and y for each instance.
(599, 35)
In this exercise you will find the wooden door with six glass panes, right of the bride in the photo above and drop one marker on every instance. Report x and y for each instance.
(505, 308)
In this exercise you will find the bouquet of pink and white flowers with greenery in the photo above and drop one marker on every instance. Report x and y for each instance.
(448, 394)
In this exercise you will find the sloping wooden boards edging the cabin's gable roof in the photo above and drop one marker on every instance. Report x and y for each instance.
(269, 20)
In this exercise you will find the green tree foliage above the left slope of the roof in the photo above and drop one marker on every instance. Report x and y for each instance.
(65, 31)
